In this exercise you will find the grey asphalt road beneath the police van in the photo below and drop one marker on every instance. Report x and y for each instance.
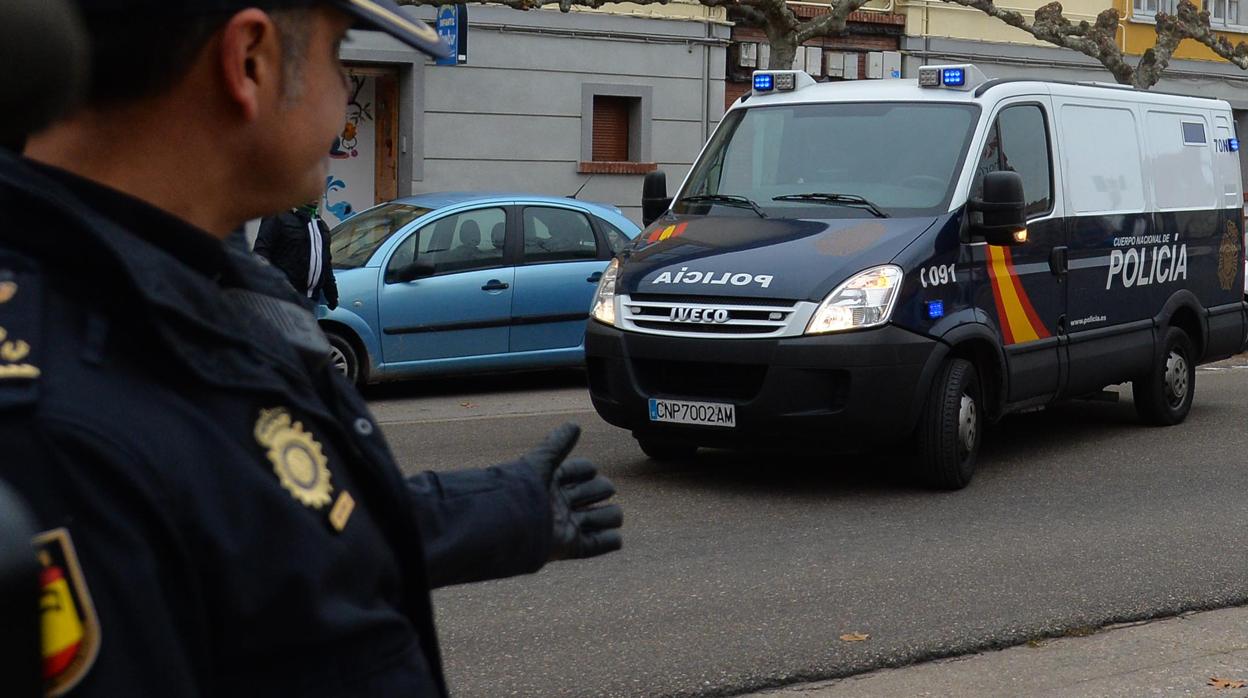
(743, 571)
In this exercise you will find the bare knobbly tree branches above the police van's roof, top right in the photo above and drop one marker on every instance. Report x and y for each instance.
(1099, 39)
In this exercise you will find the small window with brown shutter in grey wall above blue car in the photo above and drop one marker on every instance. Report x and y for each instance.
(616, 130)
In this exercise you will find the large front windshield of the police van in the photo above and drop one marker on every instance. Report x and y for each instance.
(833, 160)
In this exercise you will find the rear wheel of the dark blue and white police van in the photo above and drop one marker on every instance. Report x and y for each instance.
(1165, 395)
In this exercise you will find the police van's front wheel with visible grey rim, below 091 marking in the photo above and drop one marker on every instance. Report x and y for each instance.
(952, 428)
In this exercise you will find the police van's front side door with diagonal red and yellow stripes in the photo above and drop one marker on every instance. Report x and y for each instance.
(1024, 293)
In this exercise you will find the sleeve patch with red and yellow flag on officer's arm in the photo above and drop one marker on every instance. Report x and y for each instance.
(71, 627)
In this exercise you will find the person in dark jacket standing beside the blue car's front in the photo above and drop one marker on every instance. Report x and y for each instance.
(298, 243)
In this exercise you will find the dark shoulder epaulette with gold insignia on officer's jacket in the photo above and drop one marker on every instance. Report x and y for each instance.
(21, 322)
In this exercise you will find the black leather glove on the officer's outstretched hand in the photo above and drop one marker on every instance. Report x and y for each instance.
(581, 529)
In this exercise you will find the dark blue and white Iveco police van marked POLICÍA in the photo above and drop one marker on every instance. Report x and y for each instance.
(868, 264)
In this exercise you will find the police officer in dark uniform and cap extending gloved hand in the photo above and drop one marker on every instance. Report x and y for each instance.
(219, 513)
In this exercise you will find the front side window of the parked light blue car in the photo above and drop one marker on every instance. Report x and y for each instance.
(459, 243)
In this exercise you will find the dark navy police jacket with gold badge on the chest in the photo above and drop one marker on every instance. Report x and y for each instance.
(222, 514)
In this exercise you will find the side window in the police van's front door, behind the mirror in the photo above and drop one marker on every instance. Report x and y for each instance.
(1019, 143)
